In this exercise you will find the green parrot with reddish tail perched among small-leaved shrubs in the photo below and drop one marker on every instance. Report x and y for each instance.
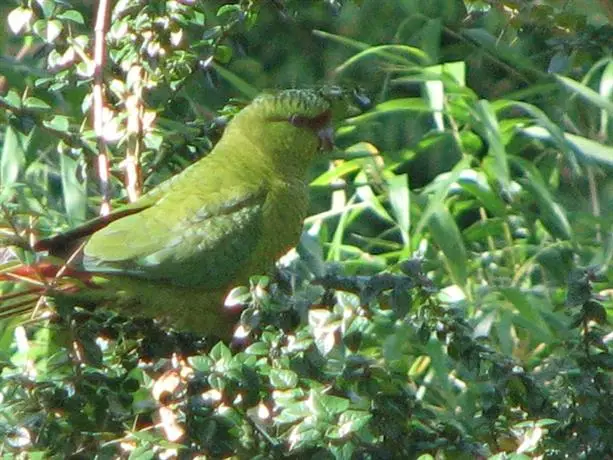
(174, 254)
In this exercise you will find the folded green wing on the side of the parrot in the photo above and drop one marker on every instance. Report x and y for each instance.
(188, 239)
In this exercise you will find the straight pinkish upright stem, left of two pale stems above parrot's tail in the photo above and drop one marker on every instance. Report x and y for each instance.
(98, 103)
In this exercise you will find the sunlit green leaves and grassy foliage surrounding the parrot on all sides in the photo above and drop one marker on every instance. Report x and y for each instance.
(453, 293)
